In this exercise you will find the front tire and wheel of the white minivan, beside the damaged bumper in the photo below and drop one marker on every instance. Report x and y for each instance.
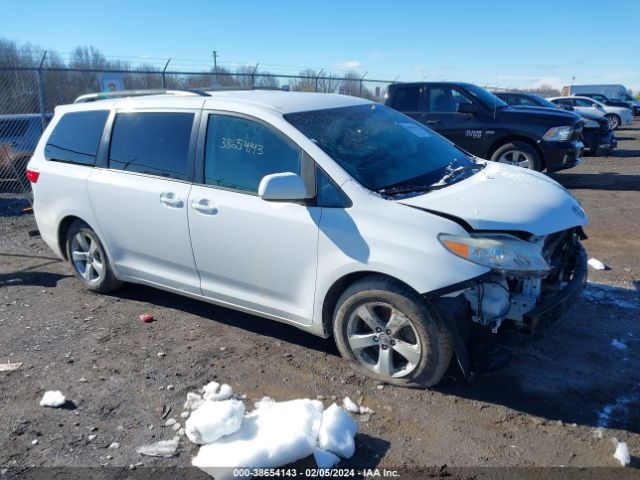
(385, 331)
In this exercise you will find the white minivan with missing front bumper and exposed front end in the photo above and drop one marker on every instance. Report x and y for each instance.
(331, 213)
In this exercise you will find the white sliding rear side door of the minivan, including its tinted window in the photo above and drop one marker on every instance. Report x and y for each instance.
(140, 200)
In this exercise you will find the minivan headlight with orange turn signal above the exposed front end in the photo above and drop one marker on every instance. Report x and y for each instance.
(503, 253)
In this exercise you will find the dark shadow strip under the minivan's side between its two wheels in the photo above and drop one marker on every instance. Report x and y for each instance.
(228, 316)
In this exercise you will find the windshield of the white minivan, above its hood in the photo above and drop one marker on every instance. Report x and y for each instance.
(381, 148)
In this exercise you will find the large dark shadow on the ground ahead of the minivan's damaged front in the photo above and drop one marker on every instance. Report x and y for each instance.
(583, 369)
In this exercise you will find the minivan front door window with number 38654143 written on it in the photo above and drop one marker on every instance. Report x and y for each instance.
(239, 153)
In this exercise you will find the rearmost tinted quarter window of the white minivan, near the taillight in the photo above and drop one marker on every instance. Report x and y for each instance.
(76, 137)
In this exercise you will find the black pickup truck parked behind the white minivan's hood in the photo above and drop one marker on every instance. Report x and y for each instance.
(485, 126)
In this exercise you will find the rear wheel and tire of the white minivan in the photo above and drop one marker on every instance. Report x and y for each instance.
(89, 259)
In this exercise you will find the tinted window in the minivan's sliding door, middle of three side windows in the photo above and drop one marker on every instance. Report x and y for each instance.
(155, 143)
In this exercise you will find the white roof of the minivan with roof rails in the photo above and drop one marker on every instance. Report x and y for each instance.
(279, 100)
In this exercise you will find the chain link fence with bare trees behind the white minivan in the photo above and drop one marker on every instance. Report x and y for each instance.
(29, 95)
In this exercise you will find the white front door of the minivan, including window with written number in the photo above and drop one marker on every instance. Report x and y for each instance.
(258, 255)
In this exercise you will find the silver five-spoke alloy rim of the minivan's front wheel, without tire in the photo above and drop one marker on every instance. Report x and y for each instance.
(383, 339)
